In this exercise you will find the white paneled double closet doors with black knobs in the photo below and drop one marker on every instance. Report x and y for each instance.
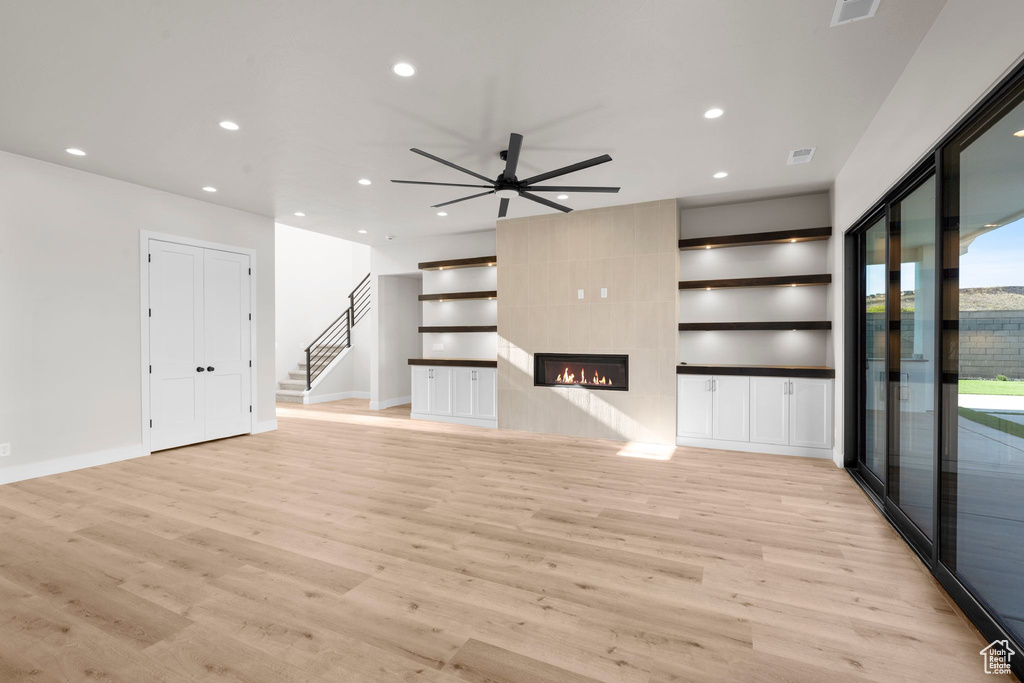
(200, 345)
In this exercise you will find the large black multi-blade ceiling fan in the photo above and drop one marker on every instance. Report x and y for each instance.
(508, 186)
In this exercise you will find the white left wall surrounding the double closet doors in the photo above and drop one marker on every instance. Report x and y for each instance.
(70, 328)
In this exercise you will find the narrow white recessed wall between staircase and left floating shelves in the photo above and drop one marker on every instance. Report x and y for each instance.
(399, 339)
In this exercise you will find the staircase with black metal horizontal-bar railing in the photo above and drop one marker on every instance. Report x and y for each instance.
(327, 348)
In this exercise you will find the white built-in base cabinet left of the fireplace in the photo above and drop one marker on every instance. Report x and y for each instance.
(462, 395)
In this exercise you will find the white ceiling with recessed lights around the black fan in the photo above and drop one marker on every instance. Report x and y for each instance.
(142, 86)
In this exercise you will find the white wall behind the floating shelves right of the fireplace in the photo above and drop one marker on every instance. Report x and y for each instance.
(761, 305)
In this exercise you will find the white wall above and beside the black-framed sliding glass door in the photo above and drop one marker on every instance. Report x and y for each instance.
(971, 47)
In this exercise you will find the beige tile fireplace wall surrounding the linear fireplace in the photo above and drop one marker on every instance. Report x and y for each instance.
(542, 263)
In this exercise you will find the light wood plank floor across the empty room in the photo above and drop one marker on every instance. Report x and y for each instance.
(360, 546)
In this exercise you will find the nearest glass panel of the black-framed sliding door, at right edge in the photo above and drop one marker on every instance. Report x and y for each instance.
(984, 315)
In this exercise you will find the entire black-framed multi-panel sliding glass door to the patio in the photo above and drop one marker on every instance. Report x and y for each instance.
(936, 323)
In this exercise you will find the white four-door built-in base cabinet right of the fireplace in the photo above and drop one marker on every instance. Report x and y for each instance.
(789, 416)
